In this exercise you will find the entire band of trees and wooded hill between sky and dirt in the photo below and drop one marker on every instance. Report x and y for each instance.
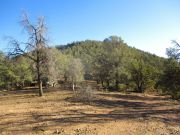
(112, 63)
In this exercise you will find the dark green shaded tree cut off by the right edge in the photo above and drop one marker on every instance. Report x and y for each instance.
(171, 77)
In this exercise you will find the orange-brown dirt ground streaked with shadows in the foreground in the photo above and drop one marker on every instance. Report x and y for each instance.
(23, 112)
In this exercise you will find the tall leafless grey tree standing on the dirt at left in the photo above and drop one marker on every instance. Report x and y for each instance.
(34, 48)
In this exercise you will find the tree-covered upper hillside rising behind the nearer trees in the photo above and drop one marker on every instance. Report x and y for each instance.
(90, 49)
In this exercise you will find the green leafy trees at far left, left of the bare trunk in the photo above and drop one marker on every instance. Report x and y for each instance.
(14, 72)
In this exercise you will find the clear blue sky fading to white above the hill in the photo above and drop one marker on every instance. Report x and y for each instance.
(149, 25)
